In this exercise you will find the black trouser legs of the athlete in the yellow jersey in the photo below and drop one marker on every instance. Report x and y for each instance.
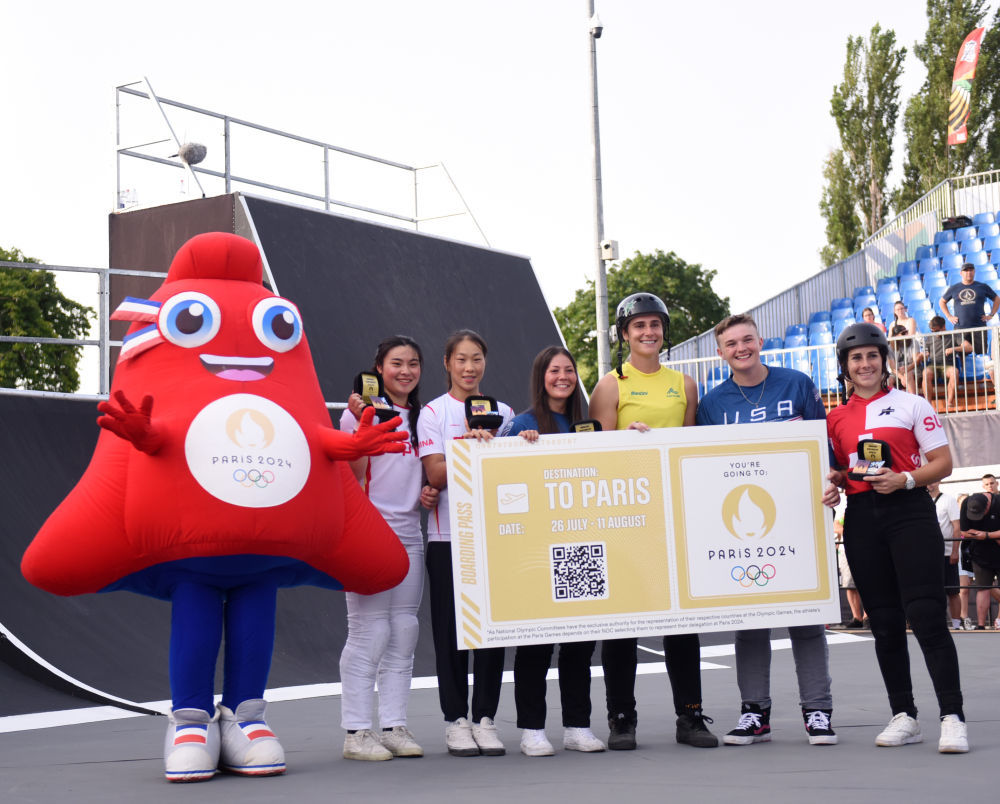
(681, 654)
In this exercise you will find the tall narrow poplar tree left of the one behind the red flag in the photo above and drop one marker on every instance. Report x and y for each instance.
(865, 106)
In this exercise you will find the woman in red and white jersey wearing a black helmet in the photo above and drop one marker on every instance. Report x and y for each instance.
(891, 536)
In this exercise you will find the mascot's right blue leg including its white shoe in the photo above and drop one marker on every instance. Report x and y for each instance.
(249, 747)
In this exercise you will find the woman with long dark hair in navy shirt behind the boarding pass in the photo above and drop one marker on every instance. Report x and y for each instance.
(555, 406)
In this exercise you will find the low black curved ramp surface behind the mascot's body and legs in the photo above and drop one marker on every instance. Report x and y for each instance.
(117, 642)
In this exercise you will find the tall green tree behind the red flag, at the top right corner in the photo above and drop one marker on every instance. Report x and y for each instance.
(929, 158)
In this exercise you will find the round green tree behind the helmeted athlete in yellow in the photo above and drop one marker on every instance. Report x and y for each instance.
(685, 289)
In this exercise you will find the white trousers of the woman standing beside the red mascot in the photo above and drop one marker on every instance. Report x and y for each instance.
(382, 634)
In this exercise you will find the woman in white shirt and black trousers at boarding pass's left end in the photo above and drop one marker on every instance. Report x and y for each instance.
(443, 419)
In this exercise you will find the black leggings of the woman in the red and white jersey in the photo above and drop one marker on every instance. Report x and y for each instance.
(894, 548)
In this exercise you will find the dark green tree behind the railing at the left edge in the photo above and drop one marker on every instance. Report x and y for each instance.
(32, 306)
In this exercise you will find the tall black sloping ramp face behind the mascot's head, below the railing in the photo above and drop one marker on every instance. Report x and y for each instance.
(357, 282)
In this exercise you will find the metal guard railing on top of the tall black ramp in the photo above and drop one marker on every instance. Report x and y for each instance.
(327, 151)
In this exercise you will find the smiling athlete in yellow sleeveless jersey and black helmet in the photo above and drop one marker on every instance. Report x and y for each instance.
(639, 395)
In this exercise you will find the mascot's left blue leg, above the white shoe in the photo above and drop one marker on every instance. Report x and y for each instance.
(195, 636)
